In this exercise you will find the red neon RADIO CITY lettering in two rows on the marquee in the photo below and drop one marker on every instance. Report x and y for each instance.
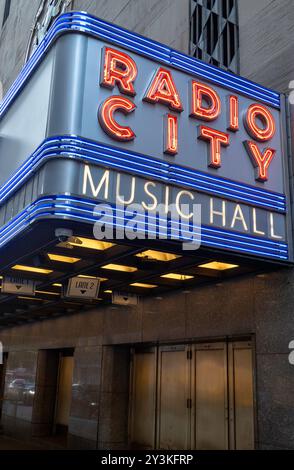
(119, 70)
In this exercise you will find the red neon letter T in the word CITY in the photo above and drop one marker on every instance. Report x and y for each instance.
(216, 139)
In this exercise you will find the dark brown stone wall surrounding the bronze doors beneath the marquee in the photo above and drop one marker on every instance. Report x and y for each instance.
(253, 305)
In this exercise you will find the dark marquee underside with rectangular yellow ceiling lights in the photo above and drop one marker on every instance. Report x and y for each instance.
(32, 247)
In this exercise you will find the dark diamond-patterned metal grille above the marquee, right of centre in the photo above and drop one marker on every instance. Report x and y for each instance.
(214, 32)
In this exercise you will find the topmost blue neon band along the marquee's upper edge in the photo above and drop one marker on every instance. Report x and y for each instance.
(87, 24)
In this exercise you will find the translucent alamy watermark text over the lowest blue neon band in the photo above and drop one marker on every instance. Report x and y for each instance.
(133, 221)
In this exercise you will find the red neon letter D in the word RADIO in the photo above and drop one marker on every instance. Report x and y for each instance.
(204, 93)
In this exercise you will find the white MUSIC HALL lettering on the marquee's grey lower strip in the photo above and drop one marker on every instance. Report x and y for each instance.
(117, 188)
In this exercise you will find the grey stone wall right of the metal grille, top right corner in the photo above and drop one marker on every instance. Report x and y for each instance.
(266, 42)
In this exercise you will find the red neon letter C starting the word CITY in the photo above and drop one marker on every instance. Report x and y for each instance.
(107, 121)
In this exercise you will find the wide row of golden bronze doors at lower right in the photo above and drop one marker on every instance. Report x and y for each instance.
(194, 396)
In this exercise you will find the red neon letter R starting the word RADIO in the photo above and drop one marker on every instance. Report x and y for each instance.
(118, 69)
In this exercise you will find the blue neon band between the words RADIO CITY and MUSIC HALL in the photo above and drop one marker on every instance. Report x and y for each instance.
(111, 157)
